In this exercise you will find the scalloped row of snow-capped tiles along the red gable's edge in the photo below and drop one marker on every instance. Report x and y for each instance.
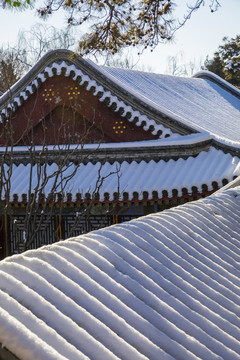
(99, 91)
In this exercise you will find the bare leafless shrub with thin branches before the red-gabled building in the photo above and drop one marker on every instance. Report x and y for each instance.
(48, 186)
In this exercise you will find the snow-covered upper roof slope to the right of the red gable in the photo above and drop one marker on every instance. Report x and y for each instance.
(206, 104)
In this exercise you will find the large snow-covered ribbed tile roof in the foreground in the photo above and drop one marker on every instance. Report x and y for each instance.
(165, 286)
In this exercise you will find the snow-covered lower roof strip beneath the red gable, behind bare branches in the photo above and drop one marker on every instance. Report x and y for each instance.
(129, 177)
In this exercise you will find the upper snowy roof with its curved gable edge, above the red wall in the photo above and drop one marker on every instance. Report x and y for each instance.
(163, 104)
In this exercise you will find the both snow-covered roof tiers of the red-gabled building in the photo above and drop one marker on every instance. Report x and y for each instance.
(188, 115)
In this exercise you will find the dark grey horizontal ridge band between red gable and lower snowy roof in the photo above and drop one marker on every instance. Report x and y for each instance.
(120, 154)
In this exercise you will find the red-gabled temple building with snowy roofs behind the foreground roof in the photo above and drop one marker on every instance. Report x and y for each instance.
(85, 146)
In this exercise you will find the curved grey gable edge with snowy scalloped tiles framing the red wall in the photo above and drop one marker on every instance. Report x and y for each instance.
(62, 62)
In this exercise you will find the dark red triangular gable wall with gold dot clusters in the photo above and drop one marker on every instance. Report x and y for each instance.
(62, 112)
